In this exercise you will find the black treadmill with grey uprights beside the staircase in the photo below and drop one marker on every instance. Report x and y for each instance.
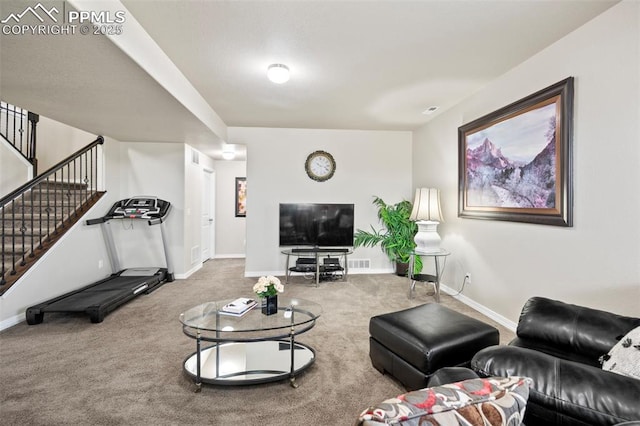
(104, 296)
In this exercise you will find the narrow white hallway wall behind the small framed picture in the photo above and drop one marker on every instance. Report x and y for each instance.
(230, 230)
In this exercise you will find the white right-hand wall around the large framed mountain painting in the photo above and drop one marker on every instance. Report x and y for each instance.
(596, 262)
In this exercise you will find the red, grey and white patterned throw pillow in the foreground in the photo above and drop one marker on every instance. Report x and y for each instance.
(475, 402)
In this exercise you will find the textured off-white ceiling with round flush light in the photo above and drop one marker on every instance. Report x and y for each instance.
(354, 64)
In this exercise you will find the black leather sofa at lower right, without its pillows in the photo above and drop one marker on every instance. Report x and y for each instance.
(558, 345)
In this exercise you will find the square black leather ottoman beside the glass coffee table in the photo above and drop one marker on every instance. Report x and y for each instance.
(412, 344)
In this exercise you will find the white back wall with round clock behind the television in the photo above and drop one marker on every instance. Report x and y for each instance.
(368, 163)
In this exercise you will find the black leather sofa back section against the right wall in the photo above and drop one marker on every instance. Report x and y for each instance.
(570, 331)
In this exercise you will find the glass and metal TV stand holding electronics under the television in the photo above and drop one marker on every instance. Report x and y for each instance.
(318, 260)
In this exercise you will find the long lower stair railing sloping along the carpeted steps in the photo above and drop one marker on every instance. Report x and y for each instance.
(35, 213)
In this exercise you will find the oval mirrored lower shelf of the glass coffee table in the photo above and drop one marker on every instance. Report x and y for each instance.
(247, 363)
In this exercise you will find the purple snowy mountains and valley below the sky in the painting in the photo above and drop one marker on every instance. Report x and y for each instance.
(494, 180)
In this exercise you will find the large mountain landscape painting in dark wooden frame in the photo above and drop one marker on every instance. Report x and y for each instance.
(515, 164)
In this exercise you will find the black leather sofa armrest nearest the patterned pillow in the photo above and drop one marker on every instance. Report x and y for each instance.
(564, 389)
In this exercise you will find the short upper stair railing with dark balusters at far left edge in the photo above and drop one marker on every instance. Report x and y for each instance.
(18, 127)
